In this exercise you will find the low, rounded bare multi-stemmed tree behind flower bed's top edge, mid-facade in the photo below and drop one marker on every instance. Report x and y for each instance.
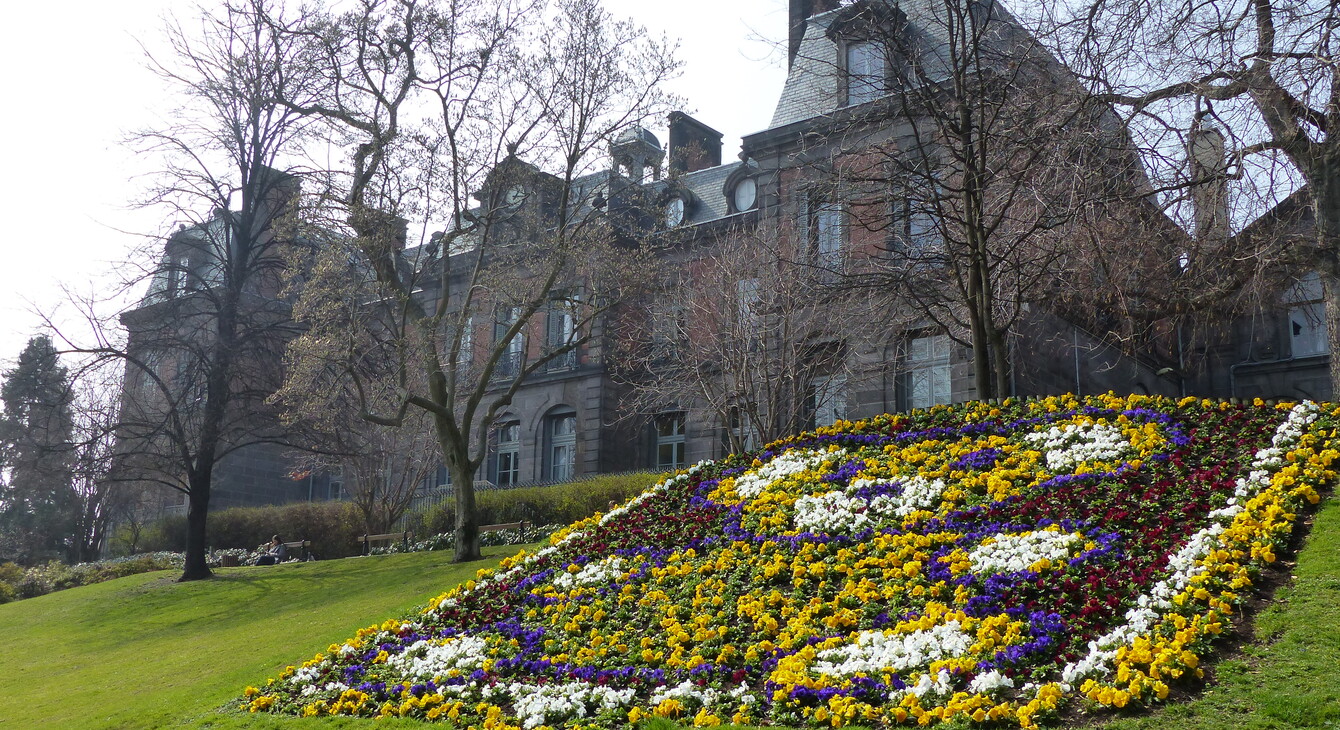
(740, 334)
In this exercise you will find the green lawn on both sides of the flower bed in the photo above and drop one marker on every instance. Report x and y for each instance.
(149, 653)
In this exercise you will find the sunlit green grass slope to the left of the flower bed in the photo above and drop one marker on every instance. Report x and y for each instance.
(144, 652)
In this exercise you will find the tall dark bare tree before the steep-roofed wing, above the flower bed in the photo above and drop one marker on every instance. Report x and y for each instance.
(969, 168)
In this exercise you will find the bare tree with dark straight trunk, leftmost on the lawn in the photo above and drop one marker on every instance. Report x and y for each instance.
(202, 348)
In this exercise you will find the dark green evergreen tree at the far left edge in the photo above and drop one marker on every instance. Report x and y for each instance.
(37, 496)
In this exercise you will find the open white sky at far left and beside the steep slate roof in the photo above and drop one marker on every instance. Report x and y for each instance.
(76, 85)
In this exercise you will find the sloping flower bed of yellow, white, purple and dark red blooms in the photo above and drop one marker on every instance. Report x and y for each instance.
(979, 563)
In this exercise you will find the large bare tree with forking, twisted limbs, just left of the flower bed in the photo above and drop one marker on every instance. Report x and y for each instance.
(486, 119)
